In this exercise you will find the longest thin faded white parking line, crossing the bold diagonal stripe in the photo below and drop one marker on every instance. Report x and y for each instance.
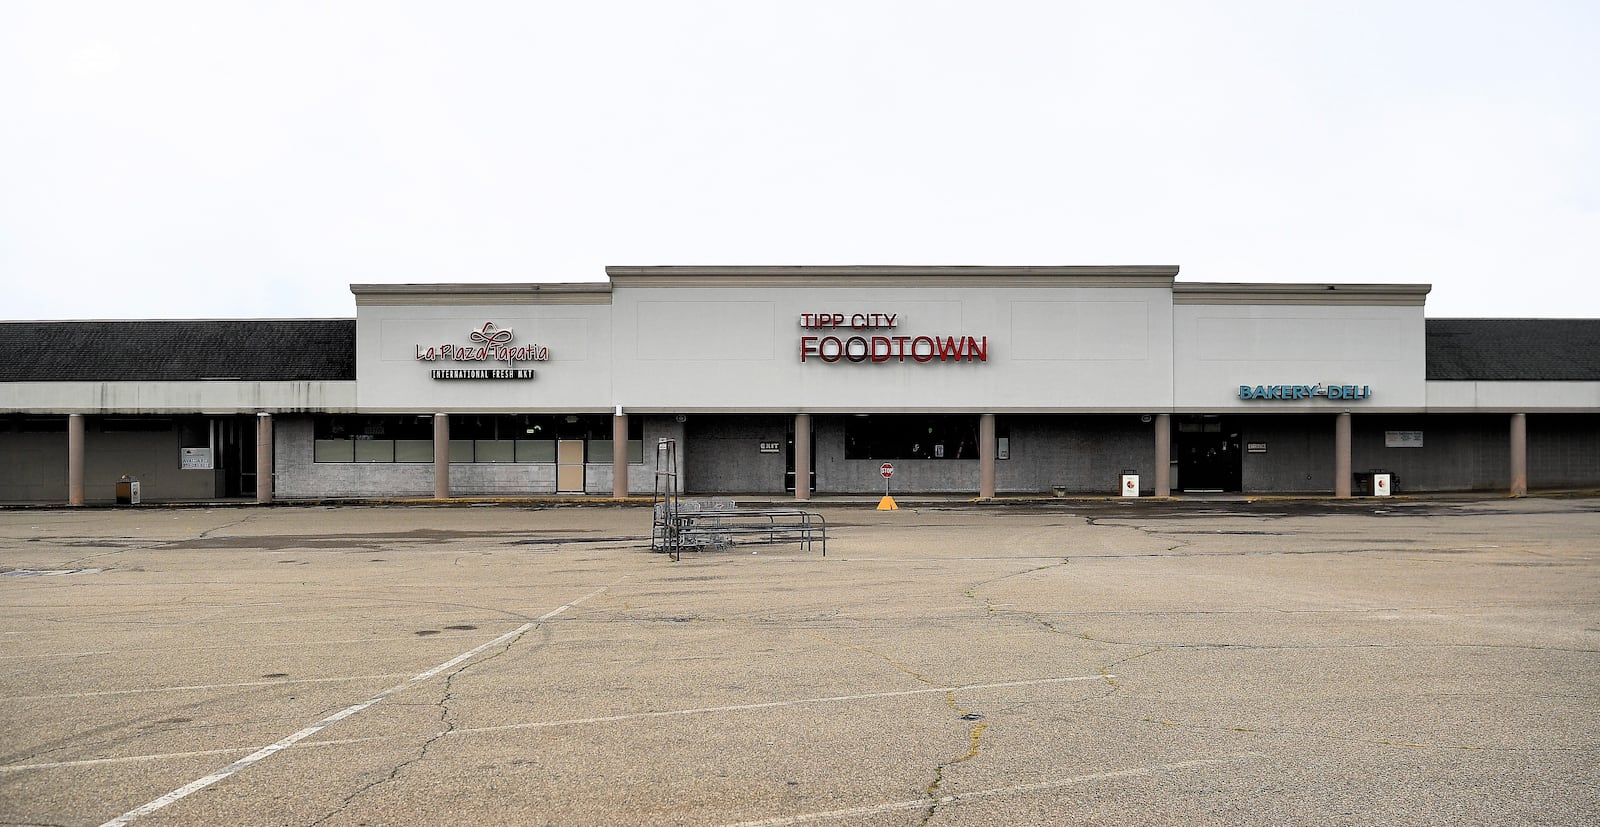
(580, 722)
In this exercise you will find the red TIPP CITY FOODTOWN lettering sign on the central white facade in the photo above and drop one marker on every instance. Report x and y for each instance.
(879, 346)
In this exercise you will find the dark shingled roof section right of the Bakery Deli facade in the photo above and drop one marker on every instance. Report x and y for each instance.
(1514, 350)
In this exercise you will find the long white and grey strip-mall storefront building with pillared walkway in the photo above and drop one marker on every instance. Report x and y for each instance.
(975, 382)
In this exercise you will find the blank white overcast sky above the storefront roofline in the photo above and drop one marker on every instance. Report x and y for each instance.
(217, 159)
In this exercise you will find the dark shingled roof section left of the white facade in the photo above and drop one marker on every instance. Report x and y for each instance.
(268, 351)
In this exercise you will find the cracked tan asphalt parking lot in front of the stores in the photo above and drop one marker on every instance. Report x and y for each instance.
(1196, 663)
